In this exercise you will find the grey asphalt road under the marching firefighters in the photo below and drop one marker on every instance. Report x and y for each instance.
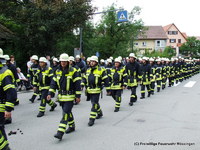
(169, 117)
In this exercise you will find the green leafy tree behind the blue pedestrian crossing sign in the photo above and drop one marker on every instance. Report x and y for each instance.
(112, 38)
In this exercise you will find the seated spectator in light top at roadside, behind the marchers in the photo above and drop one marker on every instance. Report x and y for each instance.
(23, 80)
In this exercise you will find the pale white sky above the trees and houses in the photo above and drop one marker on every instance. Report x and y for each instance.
(185, 14)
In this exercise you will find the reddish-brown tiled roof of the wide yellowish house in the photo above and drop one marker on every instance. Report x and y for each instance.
(153, 32)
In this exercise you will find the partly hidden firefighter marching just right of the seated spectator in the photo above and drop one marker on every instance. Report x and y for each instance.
(31, 74)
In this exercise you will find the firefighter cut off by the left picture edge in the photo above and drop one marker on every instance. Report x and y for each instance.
(8, 97)
